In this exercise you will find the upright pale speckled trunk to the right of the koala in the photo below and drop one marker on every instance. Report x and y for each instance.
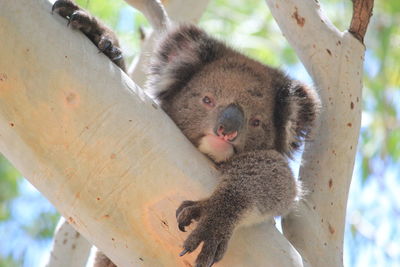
(335, 62)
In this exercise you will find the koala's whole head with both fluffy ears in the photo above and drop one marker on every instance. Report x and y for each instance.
(225, 102)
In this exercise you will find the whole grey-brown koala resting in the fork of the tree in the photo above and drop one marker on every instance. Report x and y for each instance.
(248, 118)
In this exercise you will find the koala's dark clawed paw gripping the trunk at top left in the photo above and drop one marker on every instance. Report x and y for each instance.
(103, 37)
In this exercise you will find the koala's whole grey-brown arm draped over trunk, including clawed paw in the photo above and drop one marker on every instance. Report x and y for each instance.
(252, 182)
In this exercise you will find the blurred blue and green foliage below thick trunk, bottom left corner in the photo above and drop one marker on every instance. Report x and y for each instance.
(27, 220)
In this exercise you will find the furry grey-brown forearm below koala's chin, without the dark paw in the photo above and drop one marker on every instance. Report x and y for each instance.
(261, 179)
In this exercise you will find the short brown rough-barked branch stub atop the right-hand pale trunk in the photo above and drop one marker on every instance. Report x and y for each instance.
(362, 12)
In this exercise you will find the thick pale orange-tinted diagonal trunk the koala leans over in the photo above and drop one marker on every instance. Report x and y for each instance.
(103, 153)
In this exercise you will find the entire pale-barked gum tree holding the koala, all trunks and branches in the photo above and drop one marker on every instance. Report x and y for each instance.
(88, 138)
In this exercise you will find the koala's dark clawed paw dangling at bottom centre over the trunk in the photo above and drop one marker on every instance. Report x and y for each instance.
(213, 229)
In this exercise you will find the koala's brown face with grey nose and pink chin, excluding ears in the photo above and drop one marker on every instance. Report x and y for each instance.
(226, 108)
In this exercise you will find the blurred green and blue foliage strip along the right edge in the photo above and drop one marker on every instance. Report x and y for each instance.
(375, 208)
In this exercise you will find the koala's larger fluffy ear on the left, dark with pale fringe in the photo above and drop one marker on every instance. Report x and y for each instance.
(182, 51)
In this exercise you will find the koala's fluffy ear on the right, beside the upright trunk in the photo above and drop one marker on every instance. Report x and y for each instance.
(296, 113)
